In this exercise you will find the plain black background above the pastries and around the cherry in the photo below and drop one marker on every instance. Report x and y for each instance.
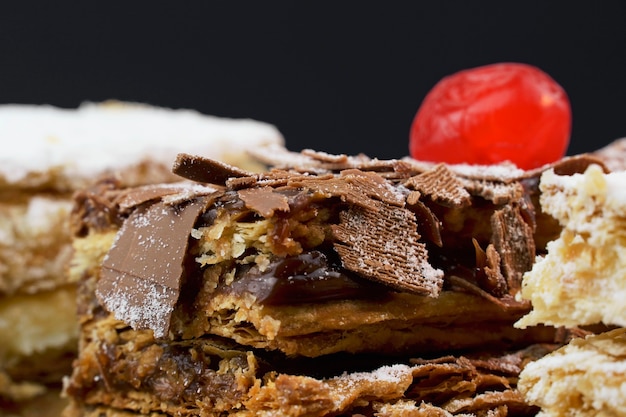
(342, 77)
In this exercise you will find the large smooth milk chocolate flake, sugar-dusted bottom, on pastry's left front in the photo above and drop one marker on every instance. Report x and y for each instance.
(141, 275)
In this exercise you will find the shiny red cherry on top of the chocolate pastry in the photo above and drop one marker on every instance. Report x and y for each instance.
(494, 113)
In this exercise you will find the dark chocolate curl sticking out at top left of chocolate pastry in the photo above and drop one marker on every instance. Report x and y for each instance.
(197, 168)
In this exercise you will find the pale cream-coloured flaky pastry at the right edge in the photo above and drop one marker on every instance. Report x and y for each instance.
(581, 281)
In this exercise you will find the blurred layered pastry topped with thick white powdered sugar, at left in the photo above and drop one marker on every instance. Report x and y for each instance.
(48, 154)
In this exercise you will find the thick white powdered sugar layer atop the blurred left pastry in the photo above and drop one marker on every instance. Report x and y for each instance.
(98, 137)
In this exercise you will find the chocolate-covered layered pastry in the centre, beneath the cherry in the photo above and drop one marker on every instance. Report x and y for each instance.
(328, 285)
